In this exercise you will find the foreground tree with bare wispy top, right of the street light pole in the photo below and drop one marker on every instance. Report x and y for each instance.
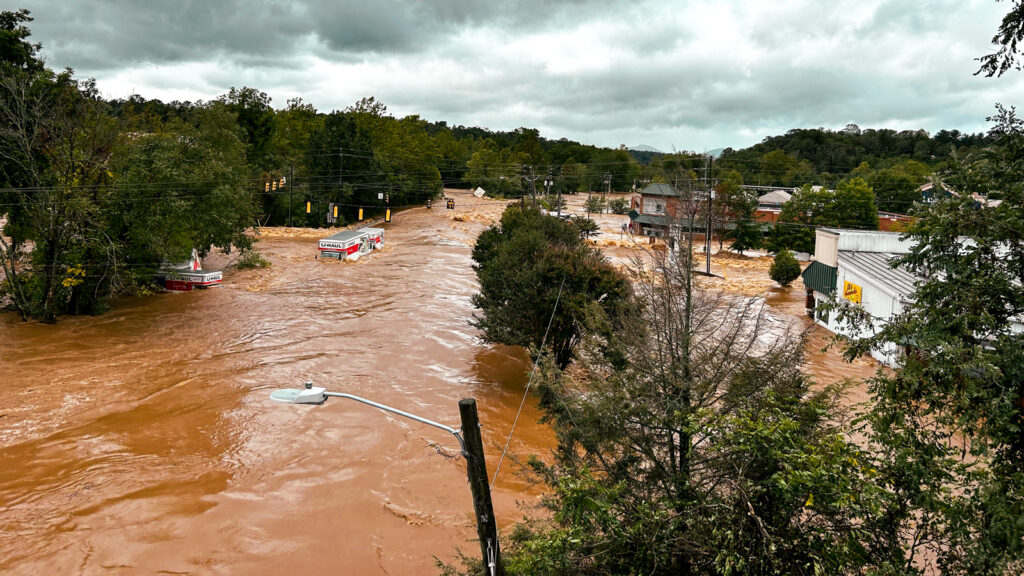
(688, 454)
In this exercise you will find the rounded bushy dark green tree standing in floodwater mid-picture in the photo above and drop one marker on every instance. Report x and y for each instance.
(530, 263)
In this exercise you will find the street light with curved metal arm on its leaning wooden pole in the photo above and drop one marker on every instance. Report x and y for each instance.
(473, 450)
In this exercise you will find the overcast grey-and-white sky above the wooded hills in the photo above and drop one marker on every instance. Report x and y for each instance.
(685, 75)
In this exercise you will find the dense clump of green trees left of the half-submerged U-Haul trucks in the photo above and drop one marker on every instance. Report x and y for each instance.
(93, 202)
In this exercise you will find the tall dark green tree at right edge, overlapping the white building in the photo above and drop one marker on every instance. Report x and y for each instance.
(949, 421)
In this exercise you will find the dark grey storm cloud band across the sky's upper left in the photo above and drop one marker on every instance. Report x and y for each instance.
(110, 34)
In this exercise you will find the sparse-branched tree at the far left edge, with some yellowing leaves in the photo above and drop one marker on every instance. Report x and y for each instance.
(56, 144)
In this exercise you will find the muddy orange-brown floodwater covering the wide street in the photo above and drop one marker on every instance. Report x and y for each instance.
(145, 441)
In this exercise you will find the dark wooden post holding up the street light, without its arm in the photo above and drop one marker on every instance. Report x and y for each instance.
(477, 470)
